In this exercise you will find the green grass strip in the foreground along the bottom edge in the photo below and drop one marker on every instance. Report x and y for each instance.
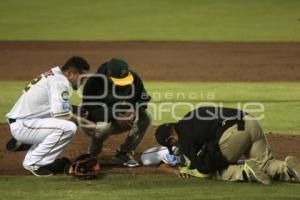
(128, 187)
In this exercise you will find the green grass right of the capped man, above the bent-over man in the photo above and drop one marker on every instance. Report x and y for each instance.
(281, 101)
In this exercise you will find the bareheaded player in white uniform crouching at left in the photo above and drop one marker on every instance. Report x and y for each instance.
(42, 115)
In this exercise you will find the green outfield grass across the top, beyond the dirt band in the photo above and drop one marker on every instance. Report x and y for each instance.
(156, 20)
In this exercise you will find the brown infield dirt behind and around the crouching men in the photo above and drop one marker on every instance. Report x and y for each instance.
(156, 61)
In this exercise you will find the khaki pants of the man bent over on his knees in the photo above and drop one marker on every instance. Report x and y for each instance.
(252, 144)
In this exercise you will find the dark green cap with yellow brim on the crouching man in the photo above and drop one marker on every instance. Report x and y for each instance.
(117, 70)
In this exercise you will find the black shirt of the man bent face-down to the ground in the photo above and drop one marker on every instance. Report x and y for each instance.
(204, 125)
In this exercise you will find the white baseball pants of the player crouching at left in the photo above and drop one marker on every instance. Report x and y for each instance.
(48, 137)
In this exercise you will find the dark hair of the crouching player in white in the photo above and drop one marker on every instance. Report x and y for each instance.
(77, 64)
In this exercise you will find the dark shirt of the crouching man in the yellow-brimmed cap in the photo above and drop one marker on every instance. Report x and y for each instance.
(100, 95)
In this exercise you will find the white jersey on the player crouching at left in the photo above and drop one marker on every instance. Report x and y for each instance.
(46, 96)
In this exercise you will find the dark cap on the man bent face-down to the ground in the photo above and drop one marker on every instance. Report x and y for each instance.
(162, 134)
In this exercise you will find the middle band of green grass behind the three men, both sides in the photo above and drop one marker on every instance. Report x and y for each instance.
(280, 101)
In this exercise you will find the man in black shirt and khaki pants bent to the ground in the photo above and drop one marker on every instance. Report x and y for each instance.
(214, 139)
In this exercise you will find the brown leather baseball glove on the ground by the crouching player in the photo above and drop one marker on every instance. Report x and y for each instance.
(84, 167)
